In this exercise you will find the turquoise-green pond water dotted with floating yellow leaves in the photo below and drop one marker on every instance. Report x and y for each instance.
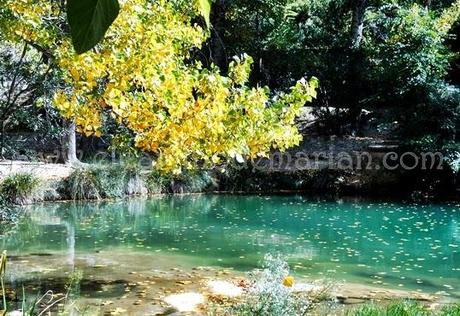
(385, 244)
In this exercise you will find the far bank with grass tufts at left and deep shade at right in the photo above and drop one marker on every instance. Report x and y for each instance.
(59, 182)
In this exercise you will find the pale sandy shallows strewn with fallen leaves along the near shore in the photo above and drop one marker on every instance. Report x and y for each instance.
(139, 284)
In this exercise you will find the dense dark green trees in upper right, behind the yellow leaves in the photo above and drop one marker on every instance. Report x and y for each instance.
(393, 58)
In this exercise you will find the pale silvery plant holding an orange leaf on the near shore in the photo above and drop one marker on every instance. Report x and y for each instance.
(270, 292)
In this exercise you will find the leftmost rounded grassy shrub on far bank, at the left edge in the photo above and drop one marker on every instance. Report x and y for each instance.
(20, 188)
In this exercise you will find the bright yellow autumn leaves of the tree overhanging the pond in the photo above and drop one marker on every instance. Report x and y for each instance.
(143, 75)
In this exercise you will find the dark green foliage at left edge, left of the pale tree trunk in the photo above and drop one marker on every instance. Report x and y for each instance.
(25, 104)
